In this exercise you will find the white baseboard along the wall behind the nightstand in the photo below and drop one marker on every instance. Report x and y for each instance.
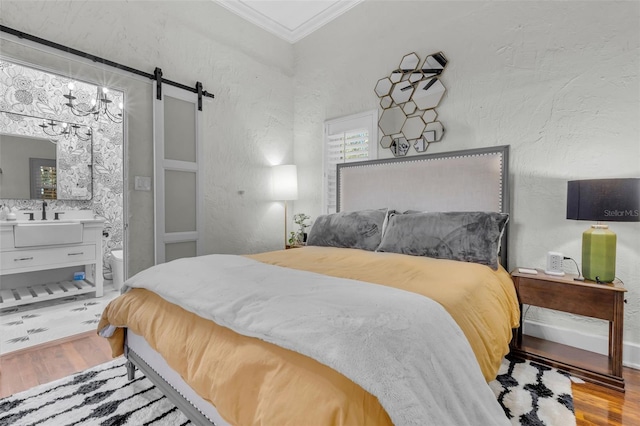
(589, 342)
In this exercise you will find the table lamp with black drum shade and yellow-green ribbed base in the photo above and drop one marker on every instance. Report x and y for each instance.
(610, 200)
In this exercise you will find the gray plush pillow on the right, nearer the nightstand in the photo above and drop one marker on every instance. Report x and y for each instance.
(465, 236)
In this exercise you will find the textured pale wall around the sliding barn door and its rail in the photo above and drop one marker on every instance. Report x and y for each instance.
(247, 127)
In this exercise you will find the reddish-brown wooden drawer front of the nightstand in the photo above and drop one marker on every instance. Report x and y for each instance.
(580, 300)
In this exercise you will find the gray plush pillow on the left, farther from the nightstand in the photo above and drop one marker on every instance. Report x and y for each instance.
(360, 229)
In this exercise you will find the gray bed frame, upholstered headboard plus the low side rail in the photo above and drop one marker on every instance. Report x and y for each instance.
(469, 180)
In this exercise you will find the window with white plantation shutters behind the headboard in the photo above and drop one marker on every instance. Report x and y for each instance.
(347, 139)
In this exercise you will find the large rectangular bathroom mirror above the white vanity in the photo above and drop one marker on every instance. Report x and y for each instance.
(44, 159)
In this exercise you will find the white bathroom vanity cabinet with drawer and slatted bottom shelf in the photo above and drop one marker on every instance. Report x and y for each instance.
(47, 254)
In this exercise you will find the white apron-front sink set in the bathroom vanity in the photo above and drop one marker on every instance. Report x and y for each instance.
(47, 234)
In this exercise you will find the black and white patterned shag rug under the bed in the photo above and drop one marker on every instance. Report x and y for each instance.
(531, 394)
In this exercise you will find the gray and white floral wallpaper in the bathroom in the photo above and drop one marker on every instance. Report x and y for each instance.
(30, 97)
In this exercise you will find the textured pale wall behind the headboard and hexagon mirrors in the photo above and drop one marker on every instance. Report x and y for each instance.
(557, 81)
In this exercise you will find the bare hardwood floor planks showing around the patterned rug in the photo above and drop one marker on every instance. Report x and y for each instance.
(594, 405)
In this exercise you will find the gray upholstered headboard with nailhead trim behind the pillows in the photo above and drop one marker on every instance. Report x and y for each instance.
(469, 180)
